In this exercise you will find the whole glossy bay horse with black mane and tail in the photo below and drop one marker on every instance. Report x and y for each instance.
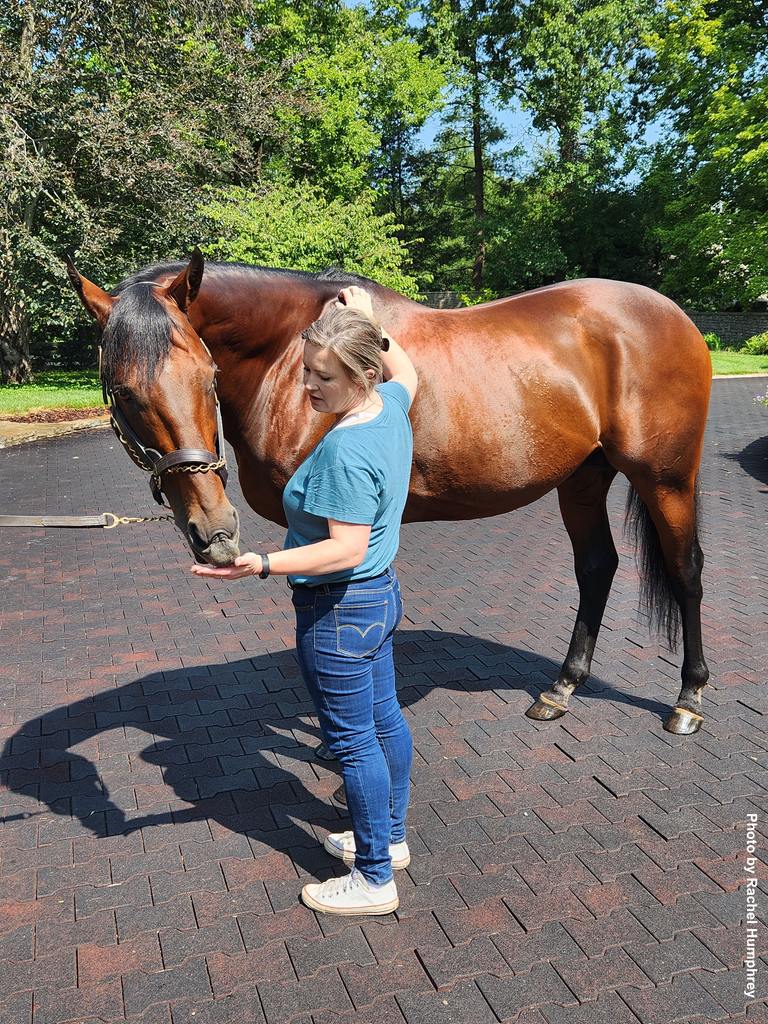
(562, 388)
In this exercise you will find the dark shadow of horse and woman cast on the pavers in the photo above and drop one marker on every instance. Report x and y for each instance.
(235, 743)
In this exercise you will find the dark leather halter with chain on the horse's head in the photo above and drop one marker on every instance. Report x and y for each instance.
(152, 461)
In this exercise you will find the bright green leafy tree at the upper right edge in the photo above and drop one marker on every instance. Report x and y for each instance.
(711, 168)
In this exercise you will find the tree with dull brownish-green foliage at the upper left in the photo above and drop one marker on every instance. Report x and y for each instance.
(112, 115)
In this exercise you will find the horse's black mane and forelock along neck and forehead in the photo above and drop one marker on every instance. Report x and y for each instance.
(139, 331)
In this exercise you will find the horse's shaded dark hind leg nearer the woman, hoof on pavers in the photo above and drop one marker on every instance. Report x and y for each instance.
(583, 499)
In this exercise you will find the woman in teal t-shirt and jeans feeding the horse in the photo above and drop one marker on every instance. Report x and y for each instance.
(345, 506)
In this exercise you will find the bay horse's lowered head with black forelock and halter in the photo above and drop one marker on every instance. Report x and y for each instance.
(159, 379)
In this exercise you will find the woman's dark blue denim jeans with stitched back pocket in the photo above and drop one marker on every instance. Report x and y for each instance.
(345, 643)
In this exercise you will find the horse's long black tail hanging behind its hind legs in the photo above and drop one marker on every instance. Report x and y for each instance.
(658, 600)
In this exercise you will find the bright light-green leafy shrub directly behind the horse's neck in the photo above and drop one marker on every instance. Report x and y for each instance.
(288, 225)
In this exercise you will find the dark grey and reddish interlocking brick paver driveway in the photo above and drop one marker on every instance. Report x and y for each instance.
(162, 806)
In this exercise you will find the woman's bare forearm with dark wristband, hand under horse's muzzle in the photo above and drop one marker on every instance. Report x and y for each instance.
(346, 549)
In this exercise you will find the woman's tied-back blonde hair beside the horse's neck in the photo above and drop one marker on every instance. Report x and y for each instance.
(355, 339)
